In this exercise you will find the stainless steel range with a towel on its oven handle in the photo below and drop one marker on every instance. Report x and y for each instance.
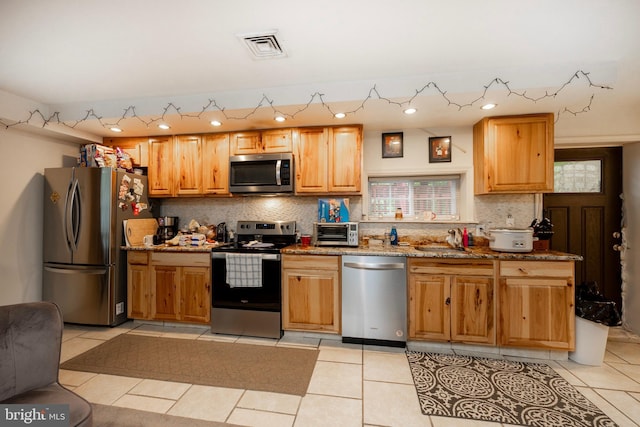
(246, 279)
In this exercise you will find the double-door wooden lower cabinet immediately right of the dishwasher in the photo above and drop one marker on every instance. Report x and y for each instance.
(452, 300)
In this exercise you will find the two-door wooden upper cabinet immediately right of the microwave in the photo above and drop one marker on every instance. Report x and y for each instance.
(328, 160)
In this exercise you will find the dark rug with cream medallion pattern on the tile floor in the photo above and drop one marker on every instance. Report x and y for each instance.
(498, 390)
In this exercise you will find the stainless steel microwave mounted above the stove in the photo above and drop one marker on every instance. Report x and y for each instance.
(261, 173)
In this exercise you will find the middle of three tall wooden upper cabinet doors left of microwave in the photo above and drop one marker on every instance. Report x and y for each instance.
(188, 166)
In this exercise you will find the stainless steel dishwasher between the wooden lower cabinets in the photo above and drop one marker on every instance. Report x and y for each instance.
(374, 300)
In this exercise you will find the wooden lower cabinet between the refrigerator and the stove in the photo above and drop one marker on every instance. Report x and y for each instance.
(172, 286)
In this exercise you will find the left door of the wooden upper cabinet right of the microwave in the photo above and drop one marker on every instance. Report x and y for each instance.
(311, 152)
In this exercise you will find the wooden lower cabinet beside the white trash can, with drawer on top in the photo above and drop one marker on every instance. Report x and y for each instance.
(537, 303)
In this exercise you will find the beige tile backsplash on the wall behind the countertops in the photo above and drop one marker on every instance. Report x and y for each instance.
(490, 210)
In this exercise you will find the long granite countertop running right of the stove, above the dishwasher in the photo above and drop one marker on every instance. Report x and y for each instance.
(476, 252)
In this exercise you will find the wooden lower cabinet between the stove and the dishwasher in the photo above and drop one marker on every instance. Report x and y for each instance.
(311, 293)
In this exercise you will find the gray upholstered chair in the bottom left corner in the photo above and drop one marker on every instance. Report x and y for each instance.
(30, 344)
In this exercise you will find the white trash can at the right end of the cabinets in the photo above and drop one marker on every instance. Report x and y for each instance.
(591, 342)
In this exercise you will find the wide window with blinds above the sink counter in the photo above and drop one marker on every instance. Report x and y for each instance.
(415, 196)
